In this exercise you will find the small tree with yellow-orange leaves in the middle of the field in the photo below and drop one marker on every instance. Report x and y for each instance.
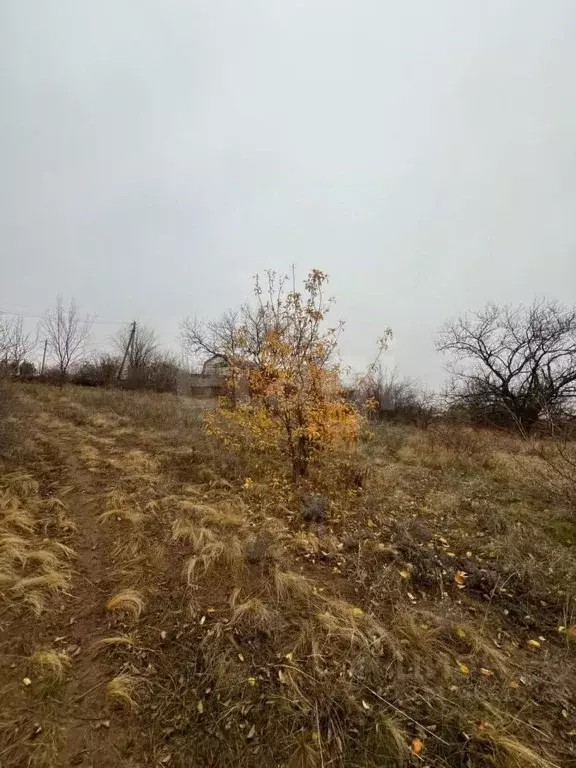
(293, 401)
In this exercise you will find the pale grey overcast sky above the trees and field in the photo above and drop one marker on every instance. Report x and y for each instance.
(157, 153)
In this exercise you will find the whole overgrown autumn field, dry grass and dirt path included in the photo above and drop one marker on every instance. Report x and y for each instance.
(164, 603)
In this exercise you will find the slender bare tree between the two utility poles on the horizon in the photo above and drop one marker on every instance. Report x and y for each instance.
(67, 334)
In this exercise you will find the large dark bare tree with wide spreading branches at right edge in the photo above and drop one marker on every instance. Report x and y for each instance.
(513, 364)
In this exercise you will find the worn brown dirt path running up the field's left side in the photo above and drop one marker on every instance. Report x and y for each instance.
(70, 723)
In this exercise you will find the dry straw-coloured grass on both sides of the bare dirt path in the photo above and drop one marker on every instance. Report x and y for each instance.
(344, 642)
